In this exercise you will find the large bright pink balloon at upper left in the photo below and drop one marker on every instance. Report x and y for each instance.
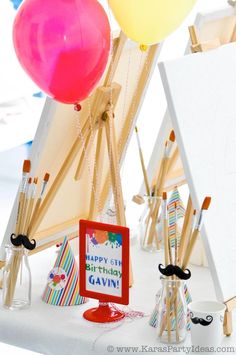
(63, 45)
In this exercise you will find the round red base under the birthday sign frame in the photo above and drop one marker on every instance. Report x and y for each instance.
(104, 313)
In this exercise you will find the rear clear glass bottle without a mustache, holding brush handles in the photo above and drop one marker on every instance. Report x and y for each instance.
(149, 225)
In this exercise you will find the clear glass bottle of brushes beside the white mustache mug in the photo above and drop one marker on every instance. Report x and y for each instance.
(172, 313)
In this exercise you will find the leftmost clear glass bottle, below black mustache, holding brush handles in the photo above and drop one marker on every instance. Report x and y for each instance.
(16, 279)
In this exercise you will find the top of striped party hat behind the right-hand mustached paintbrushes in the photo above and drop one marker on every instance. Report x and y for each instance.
(175, 200)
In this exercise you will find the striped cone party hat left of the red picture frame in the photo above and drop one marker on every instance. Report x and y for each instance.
(63, 280)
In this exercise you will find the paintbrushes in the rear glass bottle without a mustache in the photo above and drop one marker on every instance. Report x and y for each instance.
(150, 238)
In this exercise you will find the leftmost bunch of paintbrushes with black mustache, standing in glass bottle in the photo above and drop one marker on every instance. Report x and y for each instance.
(27, 211)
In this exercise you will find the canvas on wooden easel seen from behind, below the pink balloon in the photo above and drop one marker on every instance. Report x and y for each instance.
(67, 145)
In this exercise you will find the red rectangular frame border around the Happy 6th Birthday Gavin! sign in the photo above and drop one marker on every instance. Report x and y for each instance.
(84, 226)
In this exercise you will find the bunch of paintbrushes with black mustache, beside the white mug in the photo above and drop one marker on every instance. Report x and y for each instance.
(176, 263)
